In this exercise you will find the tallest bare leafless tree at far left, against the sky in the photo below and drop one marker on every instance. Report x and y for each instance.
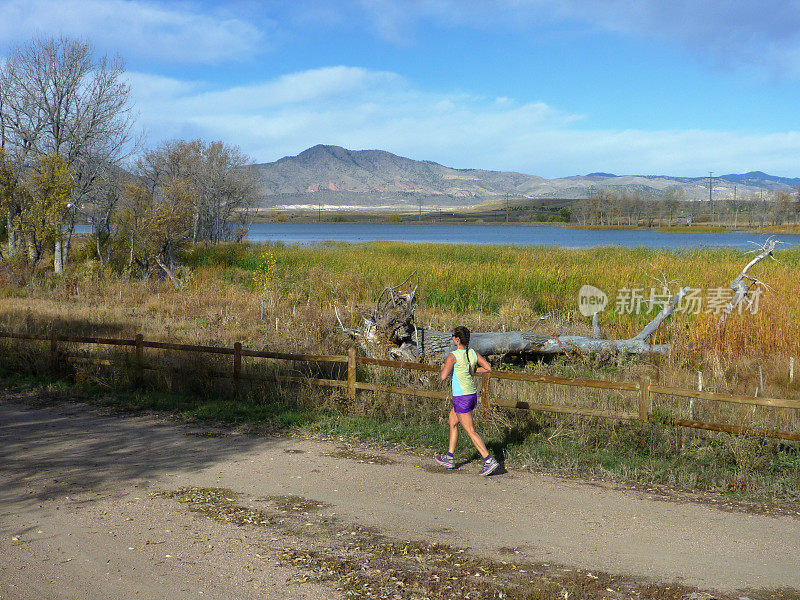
(59, 100)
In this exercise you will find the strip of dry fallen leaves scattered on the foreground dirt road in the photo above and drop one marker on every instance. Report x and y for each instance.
(364, 565)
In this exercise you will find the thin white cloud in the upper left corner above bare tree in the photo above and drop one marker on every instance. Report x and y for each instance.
(164, 32)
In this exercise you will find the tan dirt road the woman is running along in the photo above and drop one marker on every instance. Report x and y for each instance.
(81, 517)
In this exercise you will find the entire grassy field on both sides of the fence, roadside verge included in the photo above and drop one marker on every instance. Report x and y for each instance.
(282, 298)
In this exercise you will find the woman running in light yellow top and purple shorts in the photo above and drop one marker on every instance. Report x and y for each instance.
(463, 364)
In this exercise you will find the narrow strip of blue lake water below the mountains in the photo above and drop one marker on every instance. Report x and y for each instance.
(520, 235)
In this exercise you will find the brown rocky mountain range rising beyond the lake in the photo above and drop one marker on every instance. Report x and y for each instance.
(332, 175)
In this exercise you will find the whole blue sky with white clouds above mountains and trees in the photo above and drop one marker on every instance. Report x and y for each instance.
(546, 88)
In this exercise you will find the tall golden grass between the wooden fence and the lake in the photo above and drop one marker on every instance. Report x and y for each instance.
(282, 297)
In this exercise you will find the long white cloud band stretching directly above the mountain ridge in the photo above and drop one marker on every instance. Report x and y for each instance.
(362, 109)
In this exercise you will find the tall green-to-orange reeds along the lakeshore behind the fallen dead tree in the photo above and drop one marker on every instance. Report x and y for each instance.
(490, 286)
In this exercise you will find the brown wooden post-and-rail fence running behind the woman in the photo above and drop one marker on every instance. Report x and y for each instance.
(644, 390)
